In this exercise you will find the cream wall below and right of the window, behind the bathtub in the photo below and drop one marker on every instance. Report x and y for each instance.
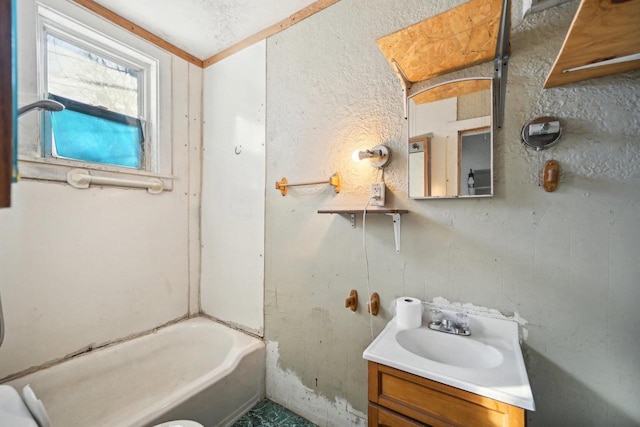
(81, 267)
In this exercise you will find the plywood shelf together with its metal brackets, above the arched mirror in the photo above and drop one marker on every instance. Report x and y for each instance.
(470, 34)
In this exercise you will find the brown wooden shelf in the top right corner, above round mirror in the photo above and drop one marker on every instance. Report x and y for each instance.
(601, 30)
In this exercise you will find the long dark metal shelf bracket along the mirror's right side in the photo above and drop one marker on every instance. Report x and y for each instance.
(501, 65)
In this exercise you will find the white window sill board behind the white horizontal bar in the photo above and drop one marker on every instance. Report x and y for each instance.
(52, 169)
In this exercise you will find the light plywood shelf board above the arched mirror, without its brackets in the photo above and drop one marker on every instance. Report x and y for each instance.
(458, 38)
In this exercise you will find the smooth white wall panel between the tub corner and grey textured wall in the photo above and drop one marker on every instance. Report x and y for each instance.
(233, 166)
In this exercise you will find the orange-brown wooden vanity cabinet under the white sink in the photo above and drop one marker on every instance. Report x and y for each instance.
(400, 399)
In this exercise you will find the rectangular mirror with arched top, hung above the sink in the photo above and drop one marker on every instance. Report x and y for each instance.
(450, 148)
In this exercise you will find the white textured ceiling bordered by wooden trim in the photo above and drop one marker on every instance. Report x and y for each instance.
(204, 28)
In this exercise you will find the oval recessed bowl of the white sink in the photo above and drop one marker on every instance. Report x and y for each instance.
(449, 349)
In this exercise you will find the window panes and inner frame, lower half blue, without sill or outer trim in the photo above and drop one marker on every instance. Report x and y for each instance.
(105, 87)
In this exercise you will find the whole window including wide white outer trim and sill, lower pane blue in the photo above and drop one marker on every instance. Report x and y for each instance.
(115, 87)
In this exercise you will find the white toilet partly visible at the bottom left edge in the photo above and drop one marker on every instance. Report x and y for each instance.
(28, 410)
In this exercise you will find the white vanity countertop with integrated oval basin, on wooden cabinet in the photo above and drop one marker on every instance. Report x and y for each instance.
(488, 362)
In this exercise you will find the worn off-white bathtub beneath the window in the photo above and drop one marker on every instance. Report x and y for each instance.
(196, 369)
